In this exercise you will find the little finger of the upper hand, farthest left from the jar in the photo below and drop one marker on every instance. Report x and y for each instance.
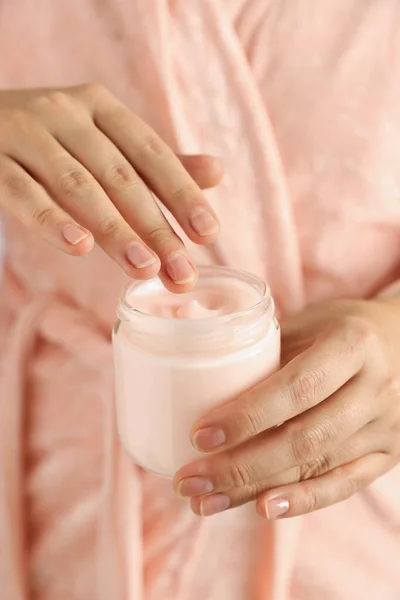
(24, 198)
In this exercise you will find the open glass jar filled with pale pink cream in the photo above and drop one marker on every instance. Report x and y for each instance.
(178, 356)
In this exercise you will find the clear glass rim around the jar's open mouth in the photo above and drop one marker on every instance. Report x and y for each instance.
(254, 281)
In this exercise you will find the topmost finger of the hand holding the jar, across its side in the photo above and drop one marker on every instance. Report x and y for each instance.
(335, 357)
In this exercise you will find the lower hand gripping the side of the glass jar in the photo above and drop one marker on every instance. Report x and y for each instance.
(338, 397)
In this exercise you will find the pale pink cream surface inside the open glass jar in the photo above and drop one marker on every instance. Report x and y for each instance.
(210, 298)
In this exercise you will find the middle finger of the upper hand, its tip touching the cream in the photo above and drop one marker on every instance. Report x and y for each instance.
(131, 196)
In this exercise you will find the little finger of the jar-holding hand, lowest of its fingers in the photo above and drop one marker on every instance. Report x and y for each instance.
(314, 494)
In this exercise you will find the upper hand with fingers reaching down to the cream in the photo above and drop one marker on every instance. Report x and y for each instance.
(77, 166)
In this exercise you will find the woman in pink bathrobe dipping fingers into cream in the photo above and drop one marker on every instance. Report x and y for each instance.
(300, 100)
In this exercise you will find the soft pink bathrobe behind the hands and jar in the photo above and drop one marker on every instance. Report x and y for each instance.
(301, 99)
